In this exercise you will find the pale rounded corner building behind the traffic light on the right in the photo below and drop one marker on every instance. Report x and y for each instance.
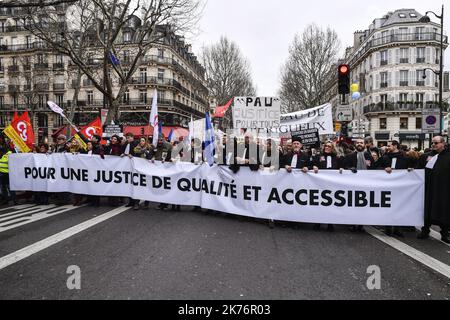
(393, 63)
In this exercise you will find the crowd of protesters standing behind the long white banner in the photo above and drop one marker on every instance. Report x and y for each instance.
(292, 155)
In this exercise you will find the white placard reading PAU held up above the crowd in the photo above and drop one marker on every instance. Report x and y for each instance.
(256, 112)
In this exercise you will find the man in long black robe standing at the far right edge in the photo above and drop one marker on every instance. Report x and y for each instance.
(437, 189)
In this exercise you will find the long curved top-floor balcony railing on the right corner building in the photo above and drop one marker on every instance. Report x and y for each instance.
(396, 38)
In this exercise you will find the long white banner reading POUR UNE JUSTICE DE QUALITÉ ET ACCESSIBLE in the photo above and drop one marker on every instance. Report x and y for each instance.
(365, 198)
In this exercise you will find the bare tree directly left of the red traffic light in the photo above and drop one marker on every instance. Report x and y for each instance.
(305, 75)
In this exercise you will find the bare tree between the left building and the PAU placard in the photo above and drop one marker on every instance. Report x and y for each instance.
(227, 71)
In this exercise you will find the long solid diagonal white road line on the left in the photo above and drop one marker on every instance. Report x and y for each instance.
(52, 240)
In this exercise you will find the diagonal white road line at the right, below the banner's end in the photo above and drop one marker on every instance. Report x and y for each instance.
(417, 255)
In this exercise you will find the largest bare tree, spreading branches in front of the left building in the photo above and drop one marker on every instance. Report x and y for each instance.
(108, 40)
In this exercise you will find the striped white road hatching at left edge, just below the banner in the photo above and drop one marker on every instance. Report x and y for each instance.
(22, 219)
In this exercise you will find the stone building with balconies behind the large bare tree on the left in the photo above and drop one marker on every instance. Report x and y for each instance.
(32, 74)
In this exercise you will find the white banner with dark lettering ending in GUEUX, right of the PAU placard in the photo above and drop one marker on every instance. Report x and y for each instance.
(316, 118)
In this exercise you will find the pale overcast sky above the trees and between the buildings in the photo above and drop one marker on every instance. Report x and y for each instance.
(264, 29)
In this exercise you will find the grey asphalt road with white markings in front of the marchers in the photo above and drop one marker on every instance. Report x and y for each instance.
(150, 254)
